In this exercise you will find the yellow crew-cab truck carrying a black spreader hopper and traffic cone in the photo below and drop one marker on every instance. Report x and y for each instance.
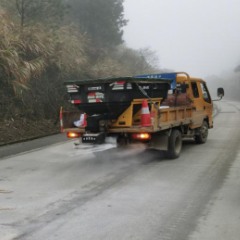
(159, 110)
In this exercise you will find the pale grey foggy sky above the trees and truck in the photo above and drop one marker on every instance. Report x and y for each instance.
(201, 37)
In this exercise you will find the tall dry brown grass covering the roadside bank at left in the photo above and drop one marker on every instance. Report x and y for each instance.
(28, 54)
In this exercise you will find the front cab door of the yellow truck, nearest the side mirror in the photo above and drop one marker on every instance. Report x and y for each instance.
(207, 102)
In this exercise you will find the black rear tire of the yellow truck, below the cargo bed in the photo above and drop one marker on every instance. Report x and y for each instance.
(174, 144)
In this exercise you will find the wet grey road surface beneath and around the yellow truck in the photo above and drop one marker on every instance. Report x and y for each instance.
(59, 192)
